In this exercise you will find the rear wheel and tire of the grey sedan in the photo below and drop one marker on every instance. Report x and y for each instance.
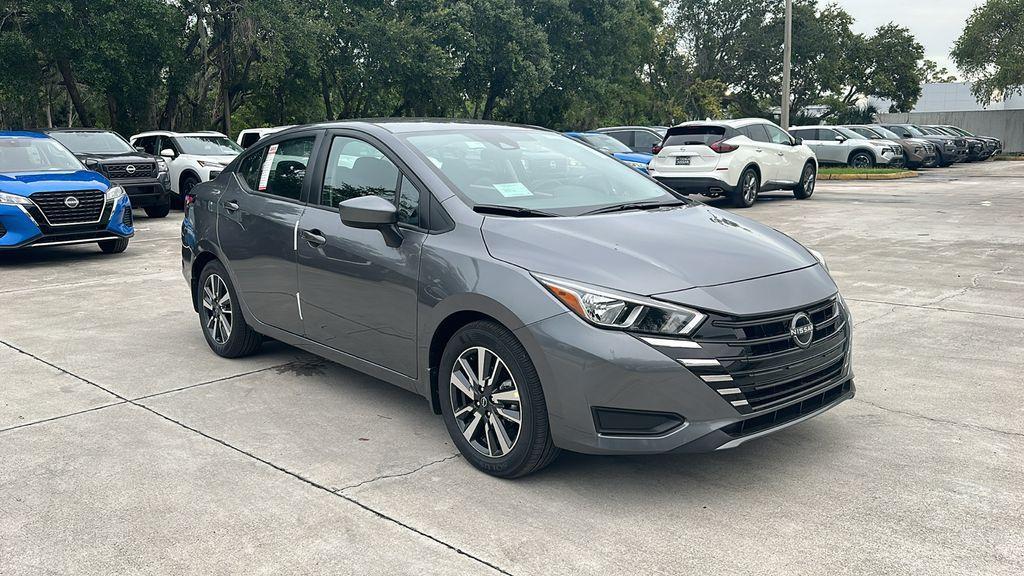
(239, 340)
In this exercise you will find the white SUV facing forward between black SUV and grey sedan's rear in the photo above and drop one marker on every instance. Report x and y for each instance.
(192, 157)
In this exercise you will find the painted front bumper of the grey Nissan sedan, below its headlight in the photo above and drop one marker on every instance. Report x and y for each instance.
(583, 380)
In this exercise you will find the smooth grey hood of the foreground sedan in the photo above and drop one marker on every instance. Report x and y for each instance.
(647, 253)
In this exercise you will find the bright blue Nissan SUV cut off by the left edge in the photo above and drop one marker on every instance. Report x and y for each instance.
(49, 198)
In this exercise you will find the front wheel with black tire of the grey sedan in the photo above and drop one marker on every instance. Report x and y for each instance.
(532, 449)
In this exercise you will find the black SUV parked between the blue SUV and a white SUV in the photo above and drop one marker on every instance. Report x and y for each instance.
(143, 176)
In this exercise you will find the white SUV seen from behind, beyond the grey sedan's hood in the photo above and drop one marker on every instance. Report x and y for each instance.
(738, 159)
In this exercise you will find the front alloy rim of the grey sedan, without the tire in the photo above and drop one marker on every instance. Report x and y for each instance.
(486, 402)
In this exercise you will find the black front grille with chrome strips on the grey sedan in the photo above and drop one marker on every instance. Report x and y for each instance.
(756, 364)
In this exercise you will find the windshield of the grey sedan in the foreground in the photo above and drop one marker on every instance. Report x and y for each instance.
(534, 171)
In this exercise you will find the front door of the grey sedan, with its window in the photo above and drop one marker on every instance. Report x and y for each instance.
(360, 296)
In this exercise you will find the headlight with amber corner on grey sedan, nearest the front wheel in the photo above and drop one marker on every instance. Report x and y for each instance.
(624, 312)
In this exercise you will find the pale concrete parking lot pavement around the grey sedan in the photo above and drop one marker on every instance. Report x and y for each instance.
(126, 446)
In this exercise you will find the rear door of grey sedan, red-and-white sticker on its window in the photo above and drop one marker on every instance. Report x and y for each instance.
(260, 212)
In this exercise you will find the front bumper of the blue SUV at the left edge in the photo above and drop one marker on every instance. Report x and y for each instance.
(24, 227)
